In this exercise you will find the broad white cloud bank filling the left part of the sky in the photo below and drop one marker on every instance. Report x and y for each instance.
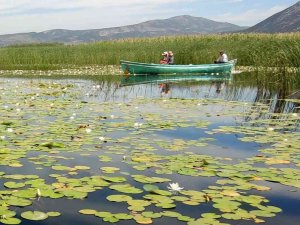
(28, 15)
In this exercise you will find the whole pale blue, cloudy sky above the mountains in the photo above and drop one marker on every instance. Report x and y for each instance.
(18, 16)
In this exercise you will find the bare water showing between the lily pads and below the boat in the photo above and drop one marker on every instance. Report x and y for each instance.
(93, 90)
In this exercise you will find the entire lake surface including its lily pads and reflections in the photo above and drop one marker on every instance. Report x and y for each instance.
(69, 144)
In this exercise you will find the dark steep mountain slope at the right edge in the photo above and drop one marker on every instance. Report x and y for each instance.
(287, 20)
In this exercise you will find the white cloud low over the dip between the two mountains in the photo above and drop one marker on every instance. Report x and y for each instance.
(250, 17)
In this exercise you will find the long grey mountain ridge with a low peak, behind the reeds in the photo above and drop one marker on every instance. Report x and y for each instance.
(179, 25)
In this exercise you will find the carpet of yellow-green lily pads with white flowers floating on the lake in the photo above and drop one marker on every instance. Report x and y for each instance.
(131, 155)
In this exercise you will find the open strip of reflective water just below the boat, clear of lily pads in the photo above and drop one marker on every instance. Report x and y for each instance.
(249, 87)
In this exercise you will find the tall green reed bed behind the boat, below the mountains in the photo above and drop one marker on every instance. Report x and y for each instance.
(281, 50)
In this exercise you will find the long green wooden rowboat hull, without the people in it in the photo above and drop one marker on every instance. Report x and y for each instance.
(136, 68)
